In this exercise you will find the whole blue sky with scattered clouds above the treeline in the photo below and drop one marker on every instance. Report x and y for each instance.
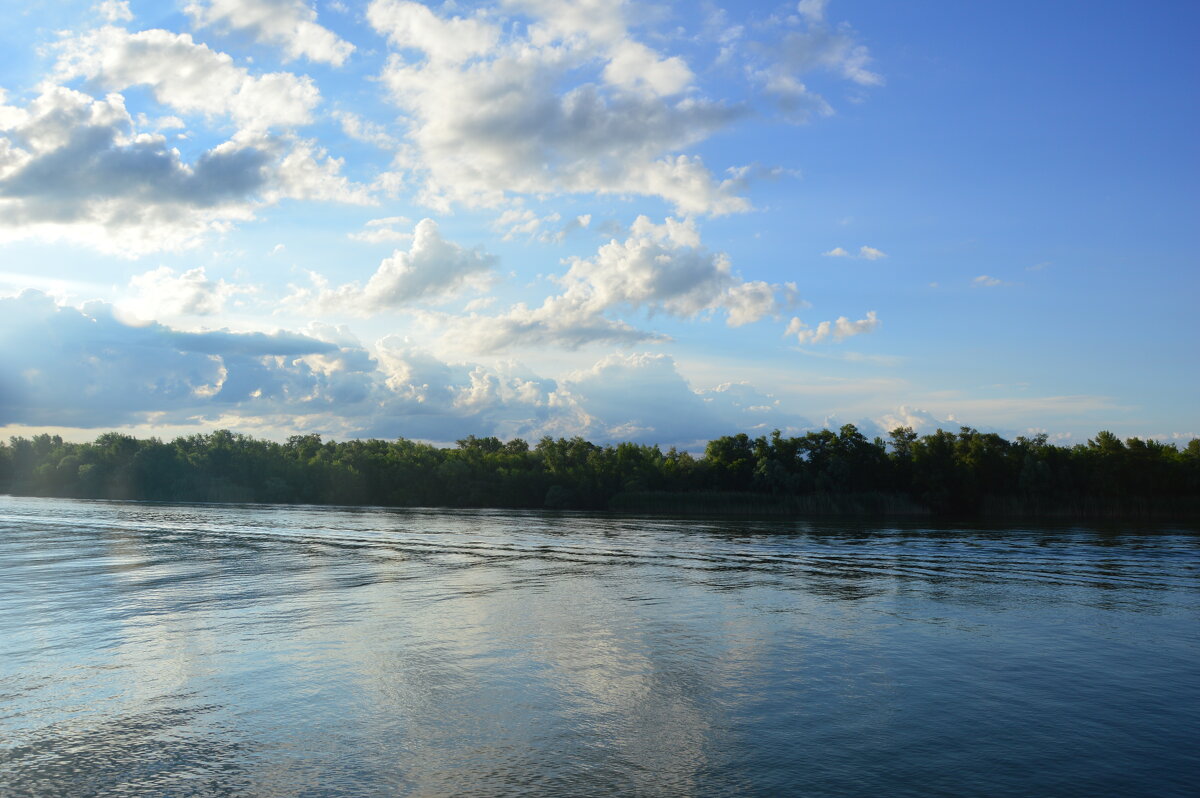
(646, 221)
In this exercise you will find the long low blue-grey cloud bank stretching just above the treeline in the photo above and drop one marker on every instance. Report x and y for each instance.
(85, 368)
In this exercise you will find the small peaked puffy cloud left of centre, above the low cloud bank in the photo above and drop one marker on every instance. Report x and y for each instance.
(431, 269)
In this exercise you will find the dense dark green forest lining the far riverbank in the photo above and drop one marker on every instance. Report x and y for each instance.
(945, 473)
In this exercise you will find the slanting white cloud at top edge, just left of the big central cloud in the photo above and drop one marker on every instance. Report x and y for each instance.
(290, 25)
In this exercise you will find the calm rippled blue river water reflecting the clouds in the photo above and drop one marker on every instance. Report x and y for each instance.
(227, 650)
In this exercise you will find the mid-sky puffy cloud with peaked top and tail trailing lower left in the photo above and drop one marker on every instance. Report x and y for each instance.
(658, 268)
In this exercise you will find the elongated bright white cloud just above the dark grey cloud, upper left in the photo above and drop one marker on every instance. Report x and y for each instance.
(188, 76)
